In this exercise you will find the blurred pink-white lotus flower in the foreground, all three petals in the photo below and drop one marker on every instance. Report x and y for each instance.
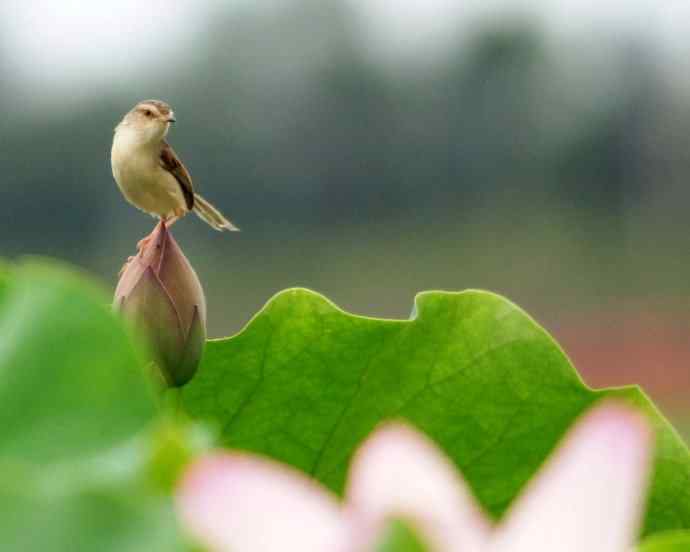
(588, 496)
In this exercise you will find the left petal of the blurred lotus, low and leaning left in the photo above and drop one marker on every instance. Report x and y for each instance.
(241, 503)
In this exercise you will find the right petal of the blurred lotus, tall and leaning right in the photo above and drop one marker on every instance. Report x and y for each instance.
(590, 494)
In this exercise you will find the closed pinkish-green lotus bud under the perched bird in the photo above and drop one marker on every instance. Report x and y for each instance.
(160, 292)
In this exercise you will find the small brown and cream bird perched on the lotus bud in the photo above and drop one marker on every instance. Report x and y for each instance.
(150, 174)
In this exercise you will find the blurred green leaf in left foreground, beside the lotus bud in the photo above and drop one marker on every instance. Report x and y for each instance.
(74, 402)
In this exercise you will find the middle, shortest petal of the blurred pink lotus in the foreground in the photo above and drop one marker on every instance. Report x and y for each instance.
(398, 472)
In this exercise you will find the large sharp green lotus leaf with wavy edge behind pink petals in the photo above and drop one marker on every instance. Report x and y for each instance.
(305, 383)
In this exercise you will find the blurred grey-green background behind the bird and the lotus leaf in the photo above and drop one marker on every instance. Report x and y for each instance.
(371, 149)
